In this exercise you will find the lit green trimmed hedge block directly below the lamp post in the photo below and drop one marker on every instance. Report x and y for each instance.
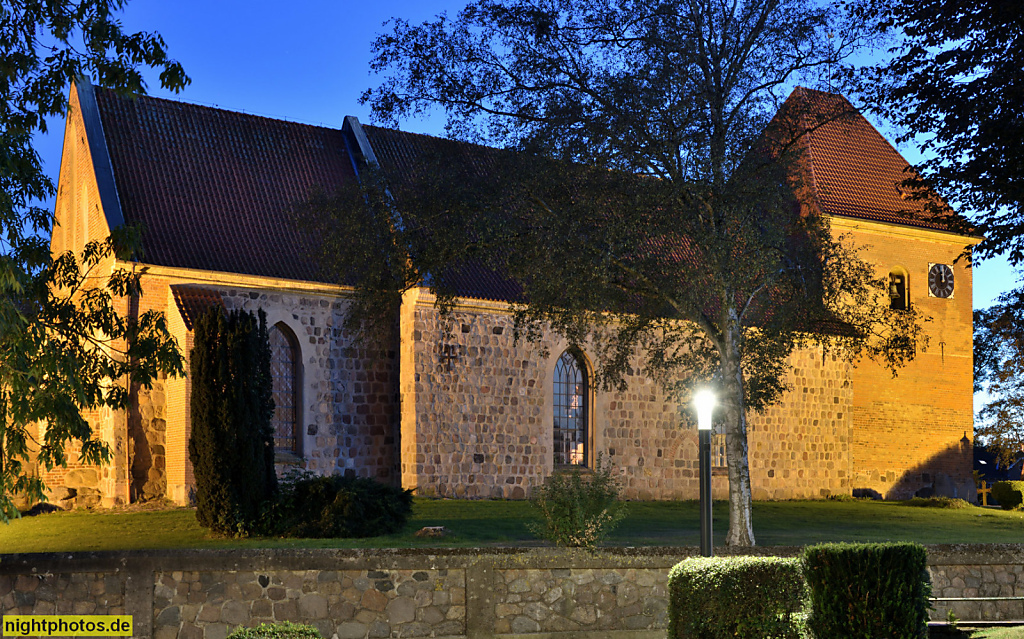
(736, 598)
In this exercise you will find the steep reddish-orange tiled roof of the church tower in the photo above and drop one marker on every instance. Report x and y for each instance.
(854, 171)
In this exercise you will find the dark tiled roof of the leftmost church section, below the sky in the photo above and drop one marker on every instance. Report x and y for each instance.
(215, 188)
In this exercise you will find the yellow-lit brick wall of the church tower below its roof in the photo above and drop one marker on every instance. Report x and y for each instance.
(908, 431)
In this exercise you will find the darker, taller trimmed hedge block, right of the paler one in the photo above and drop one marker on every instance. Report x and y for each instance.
(867, 591)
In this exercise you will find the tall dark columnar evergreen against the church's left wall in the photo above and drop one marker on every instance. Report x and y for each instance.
(232, 443)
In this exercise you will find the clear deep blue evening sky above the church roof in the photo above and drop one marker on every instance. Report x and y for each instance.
(309, 62)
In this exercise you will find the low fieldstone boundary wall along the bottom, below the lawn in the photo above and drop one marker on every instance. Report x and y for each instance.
(542, 593)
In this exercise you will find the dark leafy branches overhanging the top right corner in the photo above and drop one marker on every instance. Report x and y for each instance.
(955, 83)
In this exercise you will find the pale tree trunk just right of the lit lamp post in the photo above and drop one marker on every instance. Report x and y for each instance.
(741, 522)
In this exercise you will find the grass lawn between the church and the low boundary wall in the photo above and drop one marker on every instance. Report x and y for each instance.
(506, 524)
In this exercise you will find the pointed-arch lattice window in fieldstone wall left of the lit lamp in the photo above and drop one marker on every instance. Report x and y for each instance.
(572, 411)
